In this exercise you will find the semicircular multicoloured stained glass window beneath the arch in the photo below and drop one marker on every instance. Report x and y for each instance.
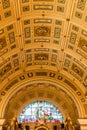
(36, 110)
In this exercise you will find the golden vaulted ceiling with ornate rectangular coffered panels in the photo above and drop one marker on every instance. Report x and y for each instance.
(43, 39)
